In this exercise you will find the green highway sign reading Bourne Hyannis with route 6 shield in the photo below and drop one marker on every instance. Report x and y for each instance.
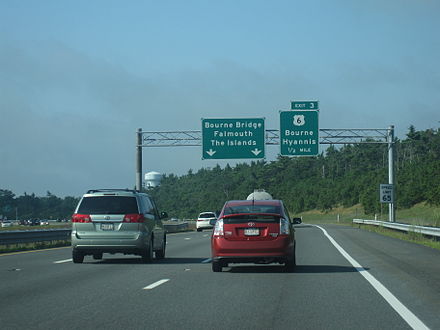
(299, 133)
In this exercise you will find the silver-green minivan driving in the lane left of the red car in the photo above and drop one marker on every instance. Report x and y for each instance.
(117, 221)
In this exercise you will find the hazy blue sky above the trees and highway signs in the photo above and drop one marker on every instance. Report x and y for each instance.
(78, 78)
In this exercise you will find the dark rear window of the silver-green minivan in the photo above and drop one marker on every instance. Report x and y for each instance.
(108, 205)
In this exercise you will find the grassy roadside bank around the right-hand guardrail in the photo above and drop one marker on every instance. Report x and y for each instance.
(421, 214)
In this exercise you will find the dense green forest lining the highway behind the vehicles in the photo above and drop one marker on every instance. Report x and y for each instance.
(344, 176)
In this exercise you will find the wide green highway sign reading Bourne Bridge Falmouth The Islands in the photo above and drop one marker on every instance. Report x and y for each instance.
(233, 138)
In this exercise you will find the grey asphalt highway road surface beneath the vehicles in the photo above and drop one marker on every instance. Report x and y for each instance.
(346, 278)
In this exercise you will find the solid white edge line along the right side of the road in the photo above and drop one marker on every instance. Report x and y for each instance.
(412, 320)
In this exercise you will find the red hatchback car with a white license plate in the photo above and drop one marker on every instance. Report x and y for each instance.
(253, 231)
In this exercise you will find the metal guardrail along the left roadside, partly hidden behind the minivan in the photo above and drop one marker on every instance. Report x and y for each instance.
(33, 236)
